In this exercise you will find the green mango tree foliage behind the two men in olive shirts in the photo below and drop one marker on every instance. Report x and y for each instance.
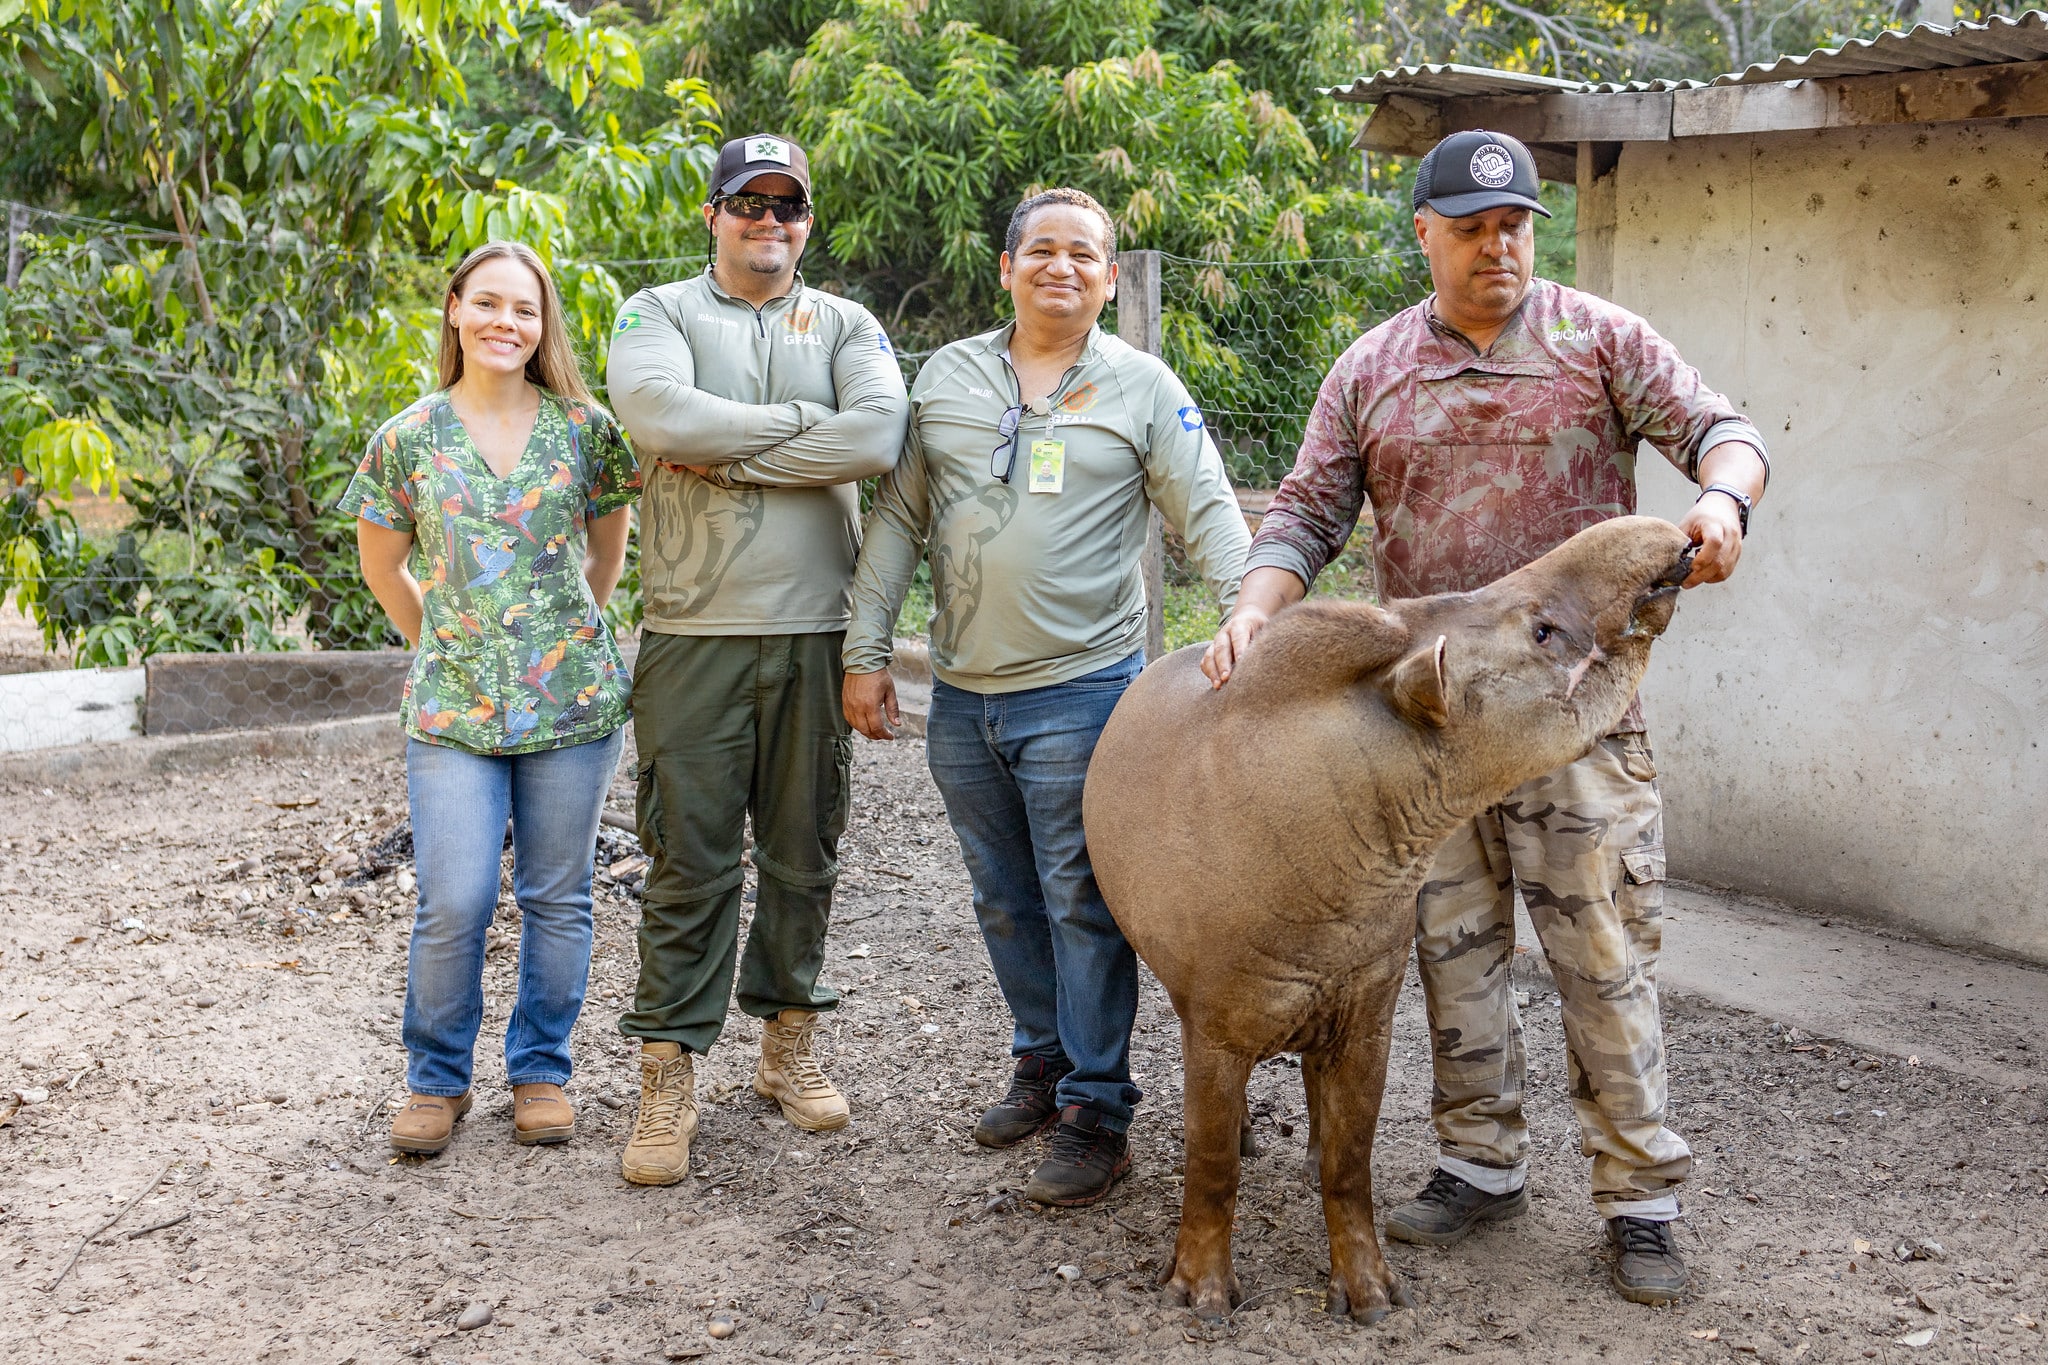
(1195, 124)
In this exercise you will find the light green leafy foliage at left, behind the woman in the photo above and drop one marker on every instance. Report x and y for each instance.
(306, 171)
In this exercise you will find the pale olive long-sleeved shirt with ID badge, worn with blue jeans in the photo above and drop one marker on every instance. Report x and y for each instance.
(1037, 578)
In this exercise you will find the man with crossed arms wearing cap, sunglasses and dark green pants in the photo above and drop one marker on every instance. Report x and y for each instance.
(757, 406)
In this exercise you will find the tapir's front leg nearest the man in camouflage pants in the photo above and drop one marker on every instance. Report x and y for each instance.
(1349, 1084)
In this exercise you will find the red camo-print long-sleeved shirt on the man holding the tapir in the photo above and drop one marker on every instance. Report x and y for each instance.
(1478, 464)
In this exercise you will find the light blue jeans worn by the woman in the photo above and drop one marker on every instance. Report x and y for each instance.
(460, 809)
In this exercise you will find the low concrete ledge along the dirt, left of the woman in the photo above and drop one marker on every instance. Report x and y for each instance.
(159, 754)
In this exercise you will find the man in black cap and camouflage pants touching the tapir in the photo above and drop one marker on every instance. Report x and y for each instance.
(1486, 427)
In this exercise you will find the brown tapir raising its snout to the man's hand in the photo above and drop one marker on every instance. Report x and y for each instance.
(1263, 844)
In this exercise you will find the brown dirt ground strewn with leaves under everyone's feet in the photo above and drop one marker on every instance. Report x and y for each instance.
(194, 989)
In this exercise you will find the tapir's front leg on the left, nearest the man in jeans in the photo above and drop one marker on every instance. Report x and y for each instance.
(1213, 1116)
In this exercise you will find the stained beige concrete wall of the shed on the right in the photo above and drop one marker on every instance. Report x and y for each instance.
(1857, 721)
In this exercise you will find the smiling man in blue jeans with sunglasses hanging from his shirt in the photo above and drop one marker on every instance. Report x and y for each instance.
(1033, 457)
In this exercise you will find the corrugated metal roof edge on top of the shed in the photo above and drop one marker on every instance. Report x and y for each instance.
(1922, 50)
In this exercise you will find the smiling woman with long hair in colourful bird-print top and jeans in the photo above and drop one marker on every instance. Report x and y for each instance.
(493, 529)
